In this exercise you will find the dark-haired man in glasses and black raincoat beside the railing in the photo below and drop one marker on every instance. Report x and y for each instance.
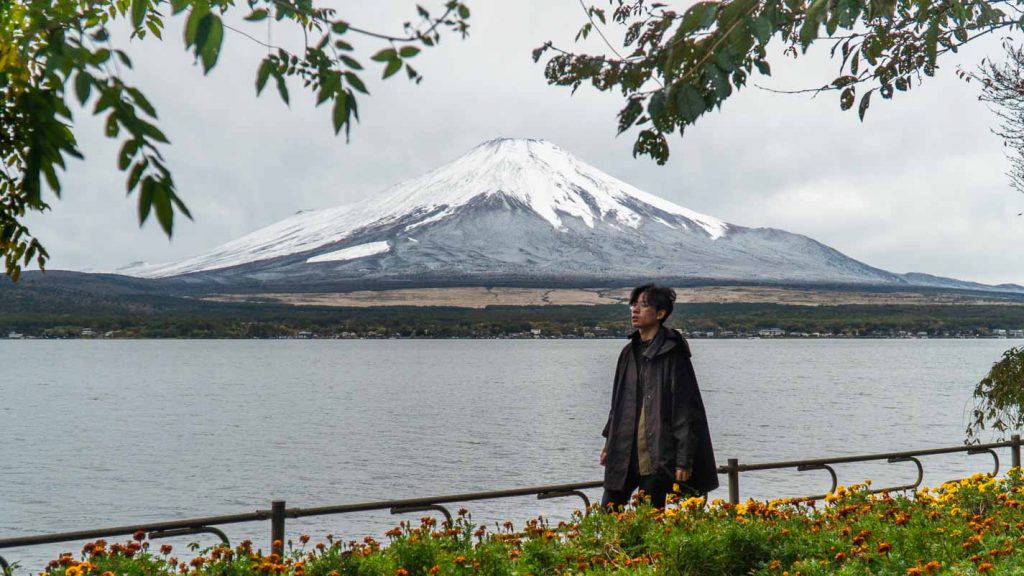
(658, 431)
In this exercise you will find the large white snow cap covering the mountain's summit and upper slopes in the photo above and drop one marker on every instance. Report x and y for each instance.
(539, 175)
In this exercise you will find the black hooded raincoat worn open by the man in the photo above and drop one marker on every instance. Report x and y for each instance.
(677, 434)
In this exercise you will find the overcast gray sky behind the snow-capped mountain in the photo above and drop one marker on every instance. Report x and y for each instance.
(920, 186)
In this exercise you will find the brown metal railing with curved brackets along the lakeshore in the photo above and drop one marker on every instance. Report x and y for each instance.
(279, 513)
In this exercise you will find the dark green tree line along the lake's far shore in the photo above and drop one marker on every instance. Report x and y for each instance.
(183, 318)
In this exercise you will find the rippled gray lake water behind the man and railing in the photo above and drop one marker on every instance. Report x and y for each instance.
(100, 434)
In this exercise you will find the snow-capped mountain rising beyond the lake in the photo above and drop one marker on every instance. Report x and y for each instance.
(518, 212)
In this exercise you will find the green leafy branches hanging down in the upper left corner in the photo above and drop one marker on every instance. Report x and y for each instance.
(52, 52)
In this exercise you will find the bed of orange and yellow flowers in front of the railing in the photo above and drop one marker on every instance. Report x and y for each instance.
(969, 527)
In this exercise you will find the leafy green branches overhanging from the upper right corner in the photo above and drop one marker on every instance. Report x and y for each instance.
(679, 66)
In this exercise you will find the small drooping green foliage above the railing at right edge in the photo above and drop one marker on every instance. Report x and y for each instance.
(1000, 397)
